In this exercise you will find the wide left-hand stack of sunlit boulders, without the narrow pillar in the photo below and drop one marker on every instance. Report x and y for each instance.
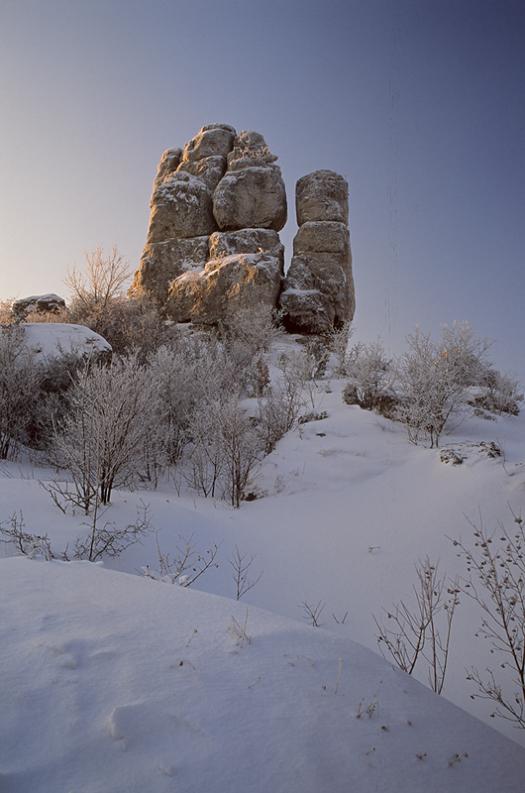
(213, 245)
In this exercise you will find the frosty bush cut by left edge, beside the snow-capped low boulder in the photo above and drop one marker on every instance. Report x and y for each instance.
(20, 380)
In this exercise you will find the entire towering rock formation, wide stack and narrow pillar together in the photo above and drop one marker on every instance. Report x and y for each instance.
(213, 245)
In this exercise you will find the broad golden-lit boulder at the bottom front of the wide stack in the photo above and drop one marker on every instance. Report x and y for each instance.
(225, 286)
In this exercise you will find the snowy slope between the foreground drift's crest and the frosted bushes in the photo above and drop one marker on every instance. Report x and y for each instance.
(348, 507)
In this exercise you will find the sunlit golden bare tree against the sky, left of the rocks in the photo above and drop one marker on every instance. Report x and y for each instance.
(103, 280)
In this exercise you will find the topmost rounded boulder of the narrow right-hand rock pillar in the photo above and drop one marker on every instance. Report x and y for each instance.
(321, 195)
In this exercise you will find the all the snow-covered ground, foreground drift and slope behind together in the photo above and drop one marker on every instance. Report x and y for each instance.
(346, 507)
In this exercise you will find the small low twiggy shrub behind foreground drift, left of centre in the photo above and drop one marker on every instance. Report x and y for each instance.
(186, 567)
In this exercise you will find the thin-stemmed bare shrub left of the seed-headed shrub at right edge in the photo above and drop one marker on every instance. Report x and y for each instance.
(422, 630)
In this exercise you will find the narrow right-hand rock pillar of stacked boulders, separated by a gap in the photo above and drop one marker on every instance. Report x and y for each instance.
(318, 292)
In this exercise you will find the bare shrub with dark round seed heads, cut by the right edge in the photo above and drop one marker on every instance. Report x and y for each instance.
(495, 580)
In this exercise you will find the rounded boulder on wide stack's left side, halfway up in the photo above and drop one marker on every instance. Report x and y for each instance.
(181, 207)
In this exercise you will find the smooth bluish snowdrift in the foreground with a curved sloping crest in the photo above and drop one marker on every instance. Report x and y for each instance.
(111, 682)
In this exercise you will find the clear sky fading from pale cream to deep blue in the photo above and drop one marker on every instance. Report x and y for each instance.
(419, 103)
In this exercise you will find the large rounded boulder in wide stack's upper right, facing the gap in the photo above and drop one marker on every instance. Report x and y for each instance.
(253, 197)
